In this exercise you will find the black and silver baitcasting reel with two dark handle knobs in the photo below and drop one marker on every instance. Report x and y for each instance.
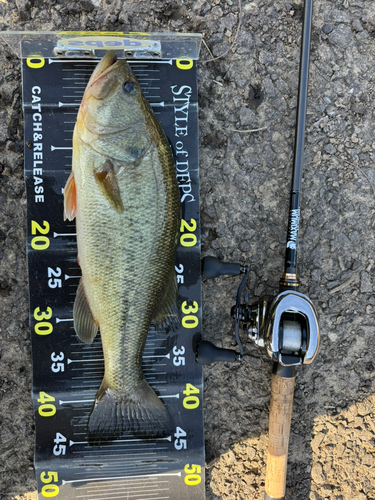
(286, 325)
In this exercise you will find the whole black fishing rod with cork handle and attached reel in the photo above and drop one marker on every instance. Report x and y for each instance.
(286, 325)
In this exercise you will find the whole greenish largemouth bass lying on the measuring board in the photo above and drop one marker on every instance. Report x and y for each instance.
(124, 195)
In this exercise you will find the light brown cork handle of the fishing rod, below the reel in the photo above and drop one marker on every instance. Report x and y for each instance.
(282, 390)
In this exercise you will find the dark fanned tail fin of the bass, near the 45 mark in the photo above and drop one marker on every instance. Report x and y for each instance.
(117, 413)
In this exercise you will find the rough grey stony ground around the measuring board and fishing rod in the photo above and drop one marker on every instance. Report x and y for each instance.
(245, 179)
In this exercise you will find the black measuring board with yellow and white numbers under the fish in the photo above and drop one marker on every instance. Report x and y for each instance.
(68, 373)
